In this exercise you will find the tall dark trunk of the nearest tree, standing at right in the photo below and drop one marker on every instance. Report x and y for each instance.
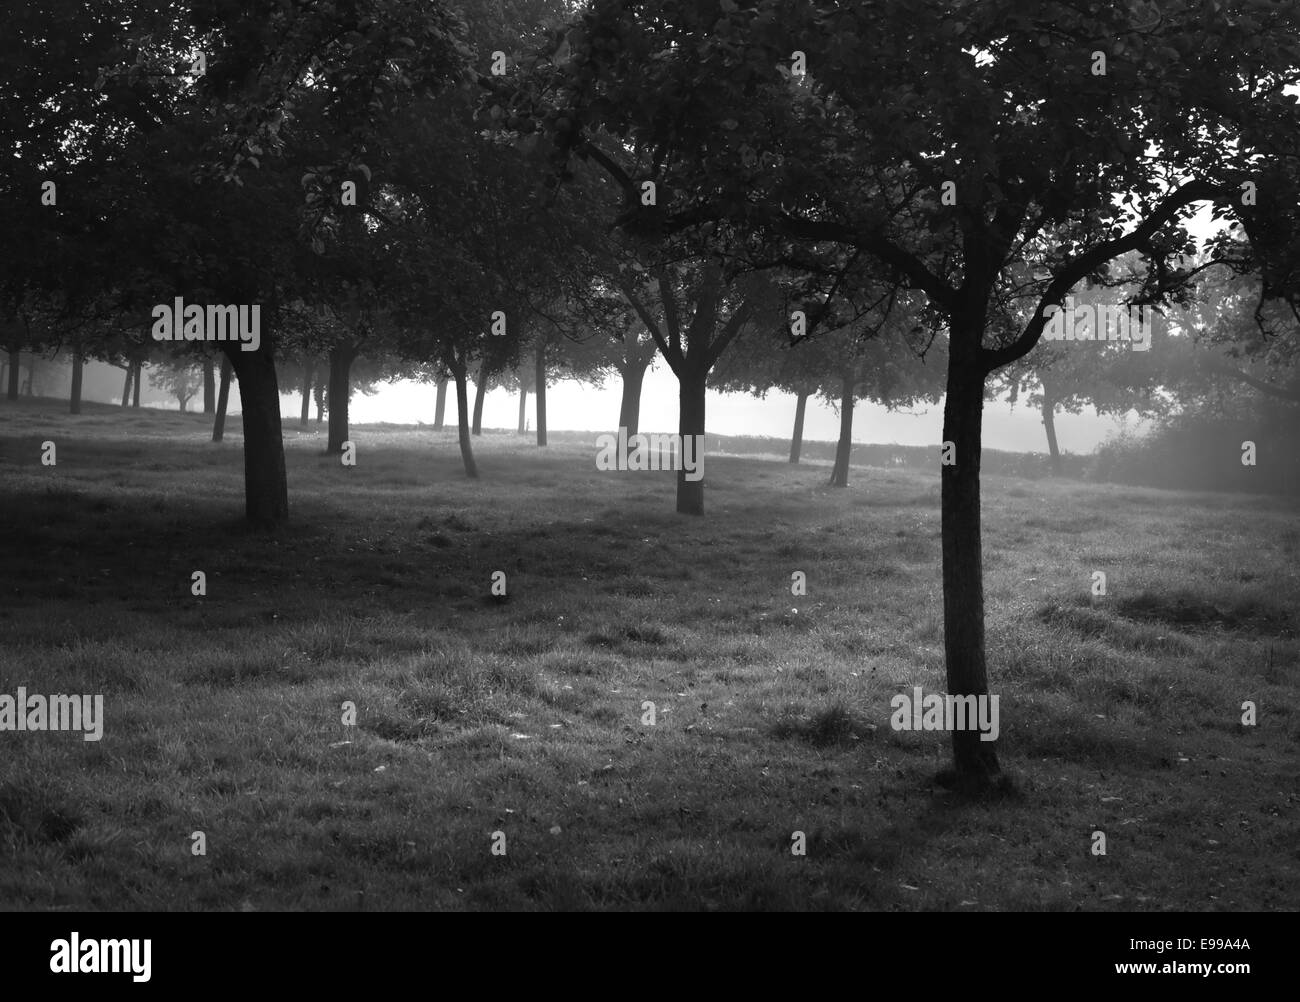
(964, 567)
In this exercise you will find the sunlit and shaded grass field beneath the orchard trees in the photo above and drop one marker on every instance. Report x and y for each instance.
(1119, 714)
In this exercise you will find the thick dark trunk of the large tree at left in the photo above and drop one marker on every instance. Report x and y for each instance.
(266, 482)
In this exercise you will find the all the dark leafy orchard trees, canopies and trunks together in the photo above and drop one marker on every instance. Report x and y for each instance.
(896, 194)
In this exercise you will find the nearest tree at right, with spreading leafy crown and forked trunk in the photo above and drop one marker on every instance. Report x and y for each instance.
(947, 142)
